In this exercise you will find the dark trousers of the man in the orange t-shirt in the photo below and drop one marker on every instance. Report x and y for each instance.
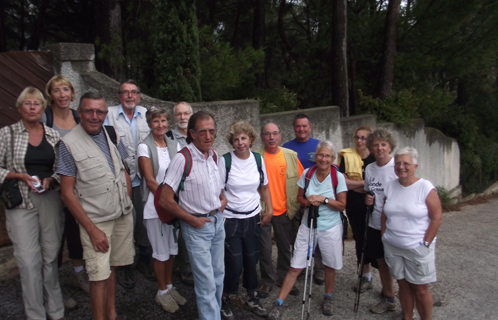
(282, 232)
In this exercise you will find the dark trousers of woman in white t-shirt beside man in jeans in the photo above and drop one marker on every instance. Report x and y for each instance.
(242, 243)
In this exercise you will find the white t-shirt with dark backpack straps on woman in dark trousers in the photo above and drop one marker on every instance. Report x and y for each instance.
(242, 186)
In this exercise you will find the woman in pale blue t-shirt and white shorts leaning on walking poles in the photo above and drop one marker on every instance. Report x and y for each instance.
(326, 189)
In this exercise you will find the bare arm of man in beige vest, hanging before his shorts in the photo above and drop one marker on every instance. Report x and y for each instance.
(97, 236)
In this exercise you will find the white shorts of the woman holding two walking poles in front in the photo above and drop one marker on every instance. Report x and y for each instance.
(330, 242)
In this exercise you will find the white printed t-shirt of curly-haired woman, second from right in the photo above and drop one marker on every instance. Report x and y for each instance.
(375, 180)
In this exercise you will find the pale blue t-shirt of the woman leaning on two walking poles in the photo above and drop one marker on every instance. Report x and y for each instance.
(327, 217)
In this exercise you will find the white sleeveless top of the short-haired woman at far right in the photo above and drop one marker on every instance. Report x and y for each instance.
(407, 213)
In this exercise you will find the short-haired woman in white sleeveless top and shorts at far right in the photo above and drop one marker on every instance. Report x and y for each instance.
(410, 221)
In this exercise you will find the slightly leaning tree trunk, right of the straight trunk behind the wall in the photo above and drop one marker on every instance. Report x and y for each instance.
(389, 50)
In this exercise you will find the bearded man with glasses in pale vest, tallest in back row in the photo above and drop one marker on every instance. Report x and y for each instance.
(130, 123)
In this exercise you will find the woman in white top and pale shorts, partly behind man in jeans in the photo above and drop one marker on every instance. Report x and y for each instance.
(154, 155)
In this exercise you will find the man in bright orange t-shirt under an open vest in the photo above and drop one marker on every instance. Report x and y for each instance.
(283, 169)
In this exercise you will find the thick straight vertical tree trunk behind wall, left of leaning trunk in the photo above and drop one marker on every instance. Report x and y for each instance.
(340, 94)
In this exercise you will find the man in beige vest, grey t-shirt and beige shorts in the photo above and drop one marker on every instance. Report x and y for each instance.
(96, 189)
